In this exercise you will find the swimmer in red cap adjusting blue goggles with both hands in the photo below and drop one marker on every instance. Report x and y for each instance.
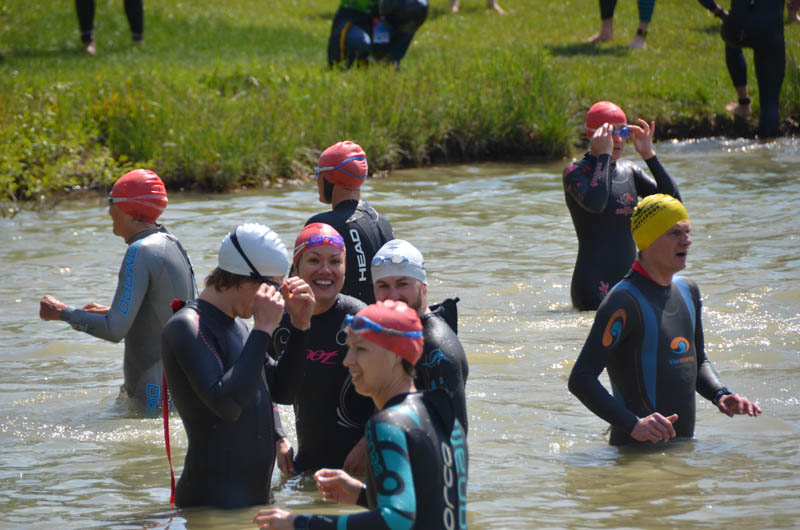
(601, 192)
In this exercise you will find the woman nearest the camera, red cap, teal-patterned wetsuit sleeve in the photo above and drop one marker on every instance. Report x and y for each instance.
(418, 458)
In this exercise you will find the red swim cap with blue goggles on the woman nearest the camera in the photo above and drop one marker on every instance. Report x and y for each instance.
(401, 328)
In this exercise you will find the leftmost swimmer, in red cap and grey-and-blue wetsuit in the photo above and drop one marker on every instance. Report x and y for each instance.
(155, 270)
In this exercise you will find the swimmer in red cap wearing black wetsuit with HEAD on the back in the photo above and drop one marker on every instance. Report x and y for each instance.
(341, 172)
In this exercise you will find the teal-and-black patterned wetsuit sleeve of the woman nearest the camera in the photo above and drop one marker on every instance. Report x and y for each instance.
(396, 509)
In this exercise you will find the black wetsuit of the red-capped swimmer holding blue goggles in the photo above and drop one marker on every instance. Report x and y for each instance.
(601, 196)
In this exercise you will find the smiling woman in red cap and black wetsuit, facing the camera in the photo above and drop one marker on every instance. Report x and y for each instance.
(310, 344)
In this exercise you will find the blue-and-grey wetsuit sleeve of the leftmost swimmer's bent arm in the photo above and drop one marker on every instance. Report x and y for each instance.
(132, 284)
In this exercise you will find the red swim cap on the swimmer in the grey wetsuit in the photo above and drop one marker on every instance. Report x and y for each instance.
(140, 194)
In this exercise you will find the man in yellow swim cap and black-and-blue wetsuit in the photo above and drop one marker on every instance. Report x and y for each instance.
(648, 334)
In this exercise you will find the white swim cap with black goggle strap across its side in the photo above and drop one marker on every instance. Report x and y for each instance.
(253, 250)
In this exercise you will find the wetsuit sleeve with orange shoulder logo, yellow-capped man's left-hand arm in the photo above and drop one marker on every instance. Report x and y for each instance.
(617, 316)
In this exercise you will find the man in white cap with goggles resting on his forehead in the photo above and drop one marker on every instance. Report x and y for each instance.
(398, 271)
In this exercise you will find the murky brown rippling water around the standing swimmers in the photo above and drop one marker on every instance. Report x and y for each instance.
(499, 237)
